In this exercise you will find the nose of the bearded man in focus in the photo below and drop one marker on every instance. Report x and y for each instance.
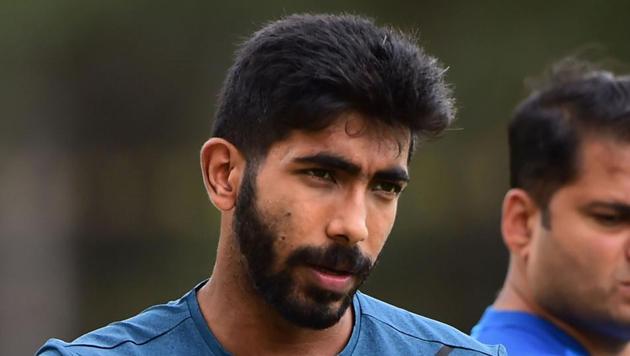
(348, 224)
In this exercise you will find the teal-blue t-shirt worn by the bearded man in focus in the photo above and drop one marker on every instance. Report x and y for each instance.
(178, 328)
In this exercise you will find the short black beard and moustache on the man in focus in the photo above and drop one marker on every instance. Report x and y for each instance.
(256, 242)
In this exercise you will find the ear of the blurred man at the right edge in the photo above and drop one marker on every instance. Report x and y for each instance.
(519, 214)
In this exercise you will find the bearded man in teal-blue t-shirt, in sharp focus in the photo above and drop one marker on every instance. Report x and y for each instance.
(316, 123)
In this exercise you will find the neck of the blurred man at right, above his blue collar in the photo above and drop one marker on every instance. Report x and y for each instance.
(514, 296)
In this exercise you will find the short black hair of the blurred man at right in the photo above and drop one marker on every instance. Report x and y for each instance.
(548, 127)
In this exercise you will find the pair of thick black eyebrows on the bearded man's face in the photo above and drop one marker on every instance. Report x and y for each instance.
(332, 161)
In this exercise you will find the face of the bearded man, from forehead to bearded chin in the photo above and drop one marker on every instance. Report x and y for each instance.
(312, 218)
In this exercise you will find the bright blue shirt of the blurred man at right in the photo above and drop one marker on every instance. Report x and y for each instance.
(525, 334)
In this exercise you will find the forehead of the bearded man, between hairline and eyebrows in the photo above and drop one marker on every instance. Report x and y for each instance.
(350, 135)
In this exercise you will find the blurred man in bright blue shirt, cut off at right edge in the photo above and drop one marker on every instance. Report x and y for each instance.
(566, 220)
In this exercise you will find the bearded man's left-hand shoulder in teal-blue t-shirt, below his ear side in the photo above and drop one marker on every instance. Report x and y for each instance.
(131, 336)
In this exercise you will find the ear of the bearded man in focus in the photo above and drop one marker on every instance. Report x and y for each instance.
(222, 167)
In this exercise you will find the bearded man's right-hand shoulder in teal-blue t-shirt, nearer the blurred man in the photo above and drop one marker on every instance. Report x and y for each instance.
(395, 325)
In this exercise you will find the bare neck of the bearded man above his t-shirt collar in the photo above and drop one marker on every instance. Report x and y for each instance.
(235, 312)
